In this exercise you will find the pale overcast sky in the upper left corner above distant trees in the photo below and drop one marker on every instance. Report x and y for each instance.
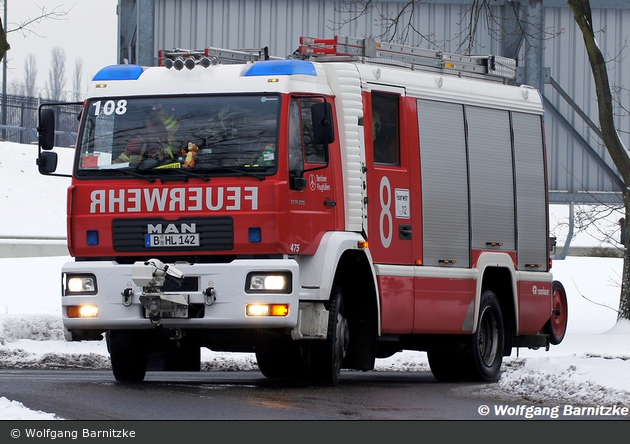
(89, 31)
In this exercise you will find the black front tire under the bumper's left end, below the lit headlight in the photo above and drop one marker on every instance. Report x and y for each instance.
(128, 352)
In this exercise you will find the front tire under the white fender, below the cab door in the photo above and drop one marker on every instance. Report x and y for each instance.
(326, 357)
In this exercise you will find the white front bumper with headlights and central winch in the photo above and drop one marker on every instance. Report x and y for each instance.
(118, 298)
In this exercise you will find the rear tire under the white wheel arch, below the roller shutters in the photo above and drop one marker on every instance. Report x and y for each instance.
(486, 347)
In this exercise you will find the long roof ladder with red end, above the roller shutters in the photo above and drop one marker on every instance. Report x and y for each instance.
(369, 50)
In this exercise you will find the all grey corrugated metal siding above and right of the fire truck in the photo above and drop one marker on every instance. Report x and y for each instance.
(278, 24)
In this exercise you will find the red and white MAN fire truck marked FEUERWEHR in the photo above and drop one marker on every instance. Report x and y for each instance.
(324, 210)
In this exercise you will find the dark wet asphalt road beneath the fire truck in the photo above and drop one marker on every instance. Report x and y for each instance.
(95, 395)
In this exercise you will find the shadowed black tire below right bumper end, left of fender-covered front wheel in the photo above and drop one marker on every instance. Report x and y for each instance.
(281, 361)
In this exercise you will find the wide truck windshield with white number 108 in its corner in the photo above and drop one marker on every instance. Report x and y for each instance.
(205, 134)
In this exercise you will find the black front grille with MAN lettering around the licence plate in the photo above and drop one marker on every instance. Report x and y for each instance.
(215, 234)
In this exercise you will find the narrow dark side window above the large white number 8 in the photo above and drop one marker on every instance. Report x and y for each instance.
(385, 128)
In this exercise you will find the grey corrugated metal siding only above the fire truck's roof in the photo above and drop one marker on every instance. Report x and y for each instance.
(278, 24)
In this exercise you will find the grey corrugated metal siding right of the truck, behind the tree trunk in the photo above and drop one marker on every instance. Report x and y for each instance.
(570, 167)
